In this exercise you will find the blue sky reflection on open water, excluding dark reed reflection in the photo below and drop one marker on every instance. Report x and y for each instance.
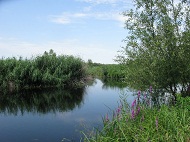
(53, 127)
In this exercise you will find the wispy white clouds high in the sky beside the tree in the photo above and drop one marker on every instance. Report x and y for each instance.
(92, 11)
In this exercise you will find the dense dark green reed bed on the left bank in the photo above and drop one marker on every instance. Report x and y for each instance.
(47, 70)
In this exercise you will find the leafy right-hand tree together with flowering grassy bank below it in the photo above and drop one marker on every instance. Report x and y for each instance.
(156, 54)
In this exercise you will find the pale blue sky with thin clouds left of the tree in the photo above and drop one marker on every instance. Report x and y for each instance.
(90, 29)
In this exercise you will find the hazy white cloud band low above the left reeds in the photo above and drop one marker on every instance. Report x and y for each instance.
(98, 53)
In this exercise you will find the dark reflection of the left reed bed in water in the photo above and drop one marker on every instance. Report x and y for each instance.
(41, 101)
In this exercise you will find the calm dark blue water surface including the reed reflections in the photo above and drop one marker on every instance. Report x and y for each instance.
(56, 115)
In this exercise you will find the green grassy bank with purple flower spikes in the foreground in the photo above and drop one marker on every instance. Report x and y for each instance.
(140, 122)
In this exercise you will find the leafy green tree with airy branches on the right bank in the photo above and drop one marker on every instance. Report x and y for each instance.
(157, 50)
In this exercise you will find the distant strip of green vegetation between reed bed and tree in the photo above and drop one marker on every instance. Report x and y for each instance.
(106, 71)
